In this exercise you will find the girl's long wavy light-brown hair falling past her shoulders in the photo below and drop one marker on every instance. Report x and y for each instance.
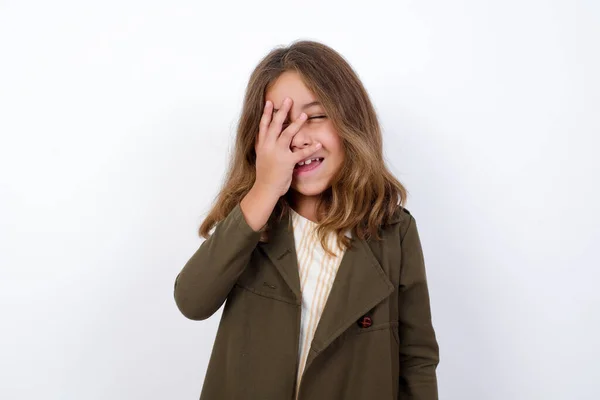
(364, 194)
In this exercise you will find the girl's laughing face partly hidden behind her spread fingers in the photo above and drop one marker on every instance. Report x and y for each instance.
(308, 180)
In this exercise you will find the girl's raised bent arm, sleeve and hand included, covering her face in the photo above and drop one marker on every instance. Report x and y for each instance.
(208, 277)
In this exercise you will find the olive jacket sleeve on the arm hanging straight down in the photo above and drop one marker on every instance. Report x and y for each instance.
(419, 352)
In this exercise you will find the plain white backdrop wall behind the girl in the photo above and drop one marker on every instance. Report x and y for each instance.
(116, 122)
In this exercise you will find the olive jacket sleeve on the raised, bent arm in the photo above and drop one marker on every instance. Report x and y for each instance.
(205, 281)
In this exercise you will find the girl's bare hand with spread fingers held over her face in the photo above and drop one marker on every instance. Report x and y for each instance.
(274, 160)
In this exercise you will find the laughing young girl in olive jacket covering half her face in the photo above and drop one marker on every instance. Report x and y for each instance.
(320, 263)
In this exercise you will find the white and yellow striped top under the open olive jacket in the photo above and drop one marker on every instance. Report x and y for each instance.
(317, 271)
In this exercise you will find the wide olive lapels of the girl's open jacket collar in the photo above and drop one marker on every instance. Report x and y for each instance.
(360, 283)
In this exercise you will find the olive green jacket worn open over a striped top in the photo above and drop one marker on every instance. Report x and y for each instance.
(255, 354)
